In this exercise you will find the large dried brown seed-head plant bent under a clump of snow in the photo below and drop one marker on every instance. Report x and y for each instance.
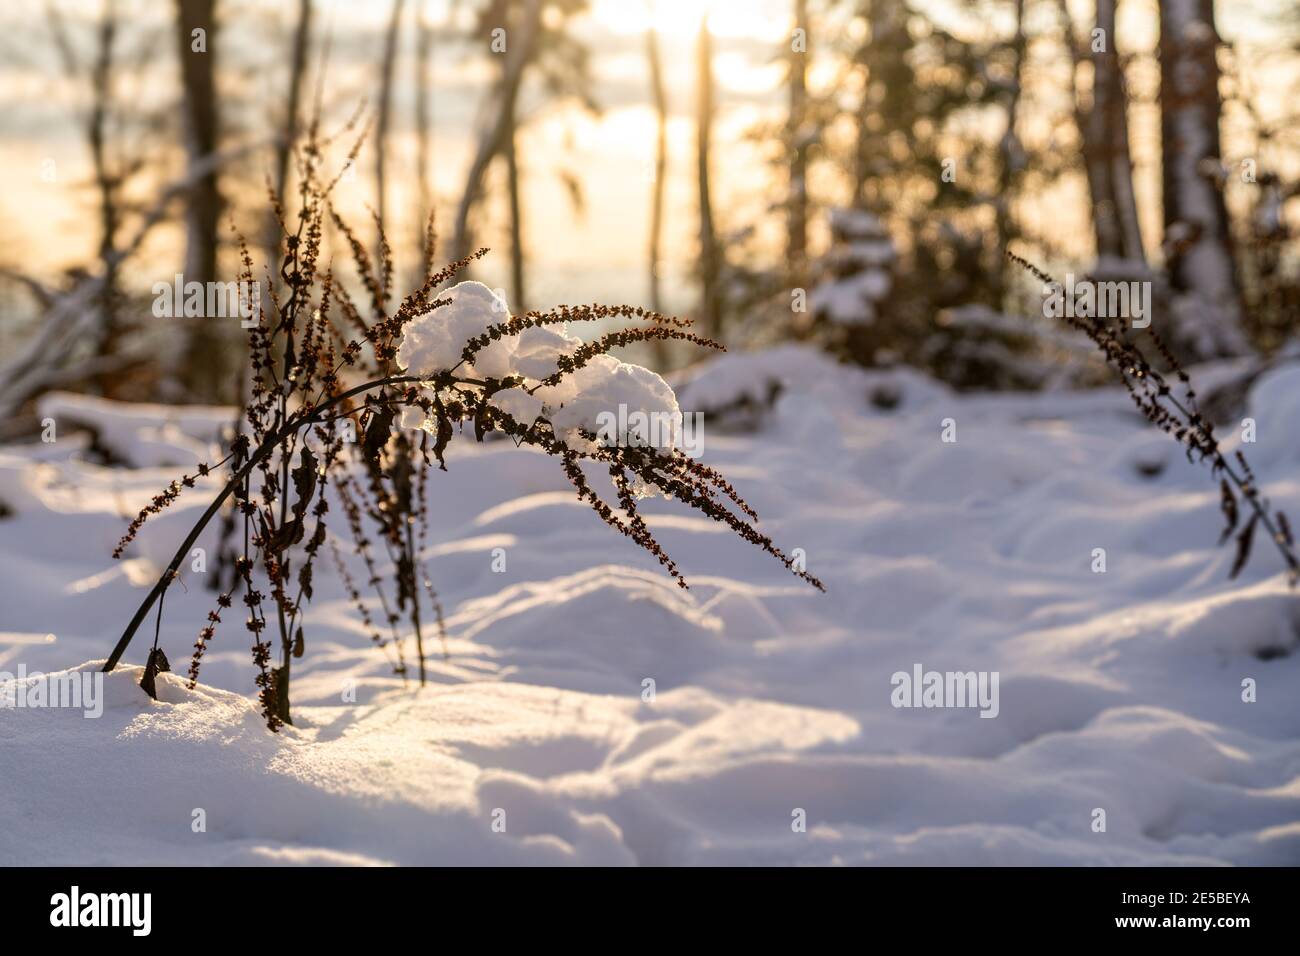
(320, 414)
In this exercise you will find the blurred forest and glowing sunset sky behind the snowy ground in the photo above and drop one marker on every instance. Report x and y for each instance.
(842, 172)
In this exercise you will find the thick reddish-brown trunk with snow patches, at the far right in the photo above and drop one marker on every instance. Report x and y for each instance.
(1197, 228)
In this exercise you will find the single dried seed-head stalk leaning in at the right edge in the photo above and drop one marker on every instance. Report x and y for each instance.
(1180, 417)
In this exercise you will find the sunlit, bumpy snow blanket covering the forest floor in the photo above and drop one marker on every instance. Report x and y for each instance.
(1119, 691)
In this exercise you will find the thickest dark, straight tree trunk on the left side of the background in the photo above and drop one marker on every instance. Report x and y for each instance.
(202, 364)
